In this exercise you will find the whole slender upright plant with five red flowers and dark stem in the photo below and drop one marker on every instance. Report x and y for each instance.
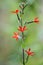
(22, 28)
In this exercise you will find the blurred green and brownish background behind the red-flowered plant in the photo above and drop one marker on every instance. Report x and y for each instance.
(10, 49)
